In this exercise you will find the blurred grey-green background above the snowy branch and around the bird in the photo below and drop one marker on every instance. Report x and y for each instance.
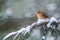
(15, 14)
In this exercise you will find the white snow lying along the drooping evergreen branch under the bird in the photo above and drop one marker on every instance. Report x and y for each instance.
(26, 30)
